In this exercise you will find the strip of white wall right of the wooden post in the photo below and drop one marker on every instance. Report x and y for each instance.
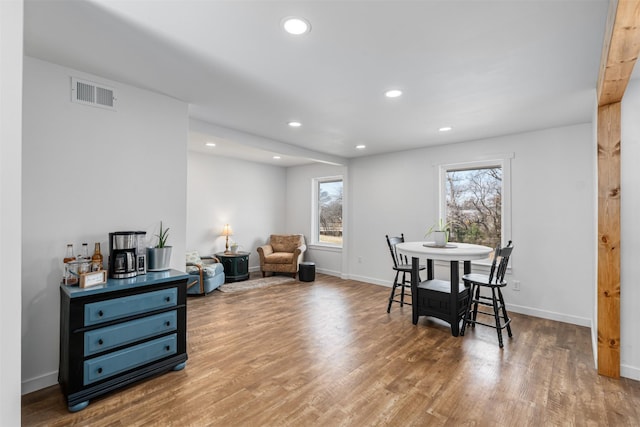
(630, 233)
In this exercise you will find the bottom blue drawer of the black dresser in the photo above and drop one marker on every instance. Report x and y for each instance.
(114, 363)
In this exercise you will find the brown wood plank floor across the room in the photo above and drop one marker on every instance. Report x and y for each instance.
(326, 353)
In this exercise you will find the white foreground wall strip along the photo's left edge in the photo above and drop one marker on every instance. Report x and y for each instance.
(11, 14)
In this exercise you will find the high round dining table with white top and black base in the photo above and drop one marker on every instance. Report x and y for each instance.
(439, 298)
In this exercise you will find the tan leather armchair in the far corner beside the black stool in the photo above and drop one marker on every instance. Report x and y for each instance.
(282, 254)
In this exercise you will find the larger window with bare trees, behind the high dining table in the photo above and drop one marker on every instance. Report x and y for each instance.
(475, 201)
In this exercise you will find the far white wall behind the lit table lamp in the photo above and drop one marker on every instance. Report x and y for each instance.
(248, 196)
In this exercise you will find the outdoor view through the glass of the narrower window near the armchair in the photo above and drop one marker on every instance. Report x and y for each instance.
(330, 212)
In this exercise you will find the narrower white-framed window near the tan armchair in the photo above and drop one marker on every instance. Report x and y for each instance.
(327, 221)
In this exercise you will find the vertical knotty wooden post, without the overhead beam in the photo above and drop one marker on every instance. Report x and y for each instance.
(609, 240)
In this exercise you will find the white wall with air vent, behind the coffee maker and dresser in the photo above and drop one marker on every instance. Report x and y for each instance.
(86, 172)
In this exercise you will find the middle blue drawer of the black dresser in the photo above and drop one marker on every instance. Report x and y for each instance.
(128, 332)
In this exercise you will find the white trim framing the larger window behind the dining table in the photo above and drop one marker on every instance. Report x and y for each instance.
(502, 160)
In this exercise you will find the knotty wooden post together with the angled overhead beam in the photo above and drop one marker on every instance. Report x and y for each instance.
(620, 51)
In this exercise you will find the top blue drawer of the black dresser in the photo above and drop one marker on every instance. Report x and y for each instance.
(117, 308)
